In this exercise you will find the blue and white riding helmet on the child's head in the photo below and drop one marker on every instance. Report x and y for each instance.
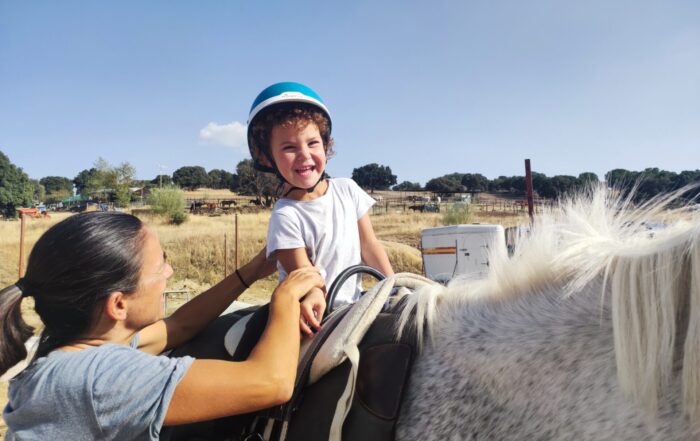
(287, 92)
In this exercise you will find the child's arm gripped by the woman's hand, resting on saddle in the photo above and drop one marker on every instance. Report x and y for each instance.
(314, 303)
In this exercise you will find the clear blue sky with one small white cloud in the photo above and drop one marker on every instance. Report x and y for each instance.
(427, 88)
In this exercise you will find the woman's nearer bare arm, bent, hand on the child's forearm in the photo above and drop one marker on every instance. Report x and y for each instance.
(214, 389)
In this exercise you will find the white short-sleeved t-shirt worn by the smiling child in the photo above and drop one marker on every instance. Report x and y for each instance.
(327, 228)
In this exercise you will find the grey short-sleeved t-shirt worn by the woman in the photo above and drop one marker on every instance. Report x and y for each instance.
(110, 392)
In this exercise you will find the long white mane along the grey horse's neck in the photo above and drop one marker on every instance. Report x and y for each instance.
(651, 277)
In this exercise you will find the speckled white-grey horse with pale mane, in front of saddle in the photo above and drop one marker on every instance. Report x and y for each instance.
(590, 332)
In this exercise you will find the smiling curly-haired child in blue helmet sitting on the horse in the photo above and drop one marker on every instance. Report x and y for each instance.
(318, 221)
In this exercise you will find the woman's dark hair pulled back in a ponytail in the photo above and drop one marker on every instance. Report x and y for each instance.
(74, 265)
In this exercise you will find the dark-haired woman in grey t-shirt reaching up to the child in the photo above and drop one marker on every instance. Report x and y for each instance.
(98, 280)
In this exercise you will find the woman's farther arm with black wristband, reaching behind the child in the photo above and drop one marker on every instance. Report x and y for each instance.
(194, 315)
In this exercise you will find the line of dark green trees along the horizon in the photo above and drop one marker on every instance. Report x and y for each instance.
(115, 183)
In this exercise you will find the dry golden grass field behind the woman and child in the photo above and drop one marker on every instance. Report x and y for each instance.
(196, 248)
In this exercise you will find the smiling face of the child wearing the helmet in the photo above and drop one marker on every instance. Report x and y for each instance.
(299, 154)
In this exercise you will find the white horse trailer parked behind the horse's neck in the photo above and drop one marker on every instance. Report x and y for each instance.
(460, 250)
